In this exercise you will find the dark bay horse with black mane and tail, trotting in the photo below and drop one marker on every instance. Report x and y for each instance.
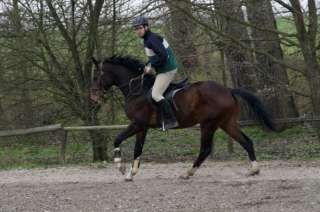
(206, 103)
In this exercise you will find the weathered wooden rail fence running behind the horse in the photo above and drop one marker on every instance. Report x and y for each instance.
(65, 130)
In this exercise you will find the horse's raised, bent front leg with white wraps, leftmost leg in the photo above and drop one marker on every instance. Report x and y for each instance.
(132, 129)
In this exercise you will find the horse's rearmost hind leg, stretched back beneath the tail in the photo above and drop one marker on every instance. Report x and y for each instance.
(234, 131)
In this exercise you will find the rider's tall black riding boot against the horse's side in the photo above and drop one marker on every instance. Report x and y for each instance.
(168, 117)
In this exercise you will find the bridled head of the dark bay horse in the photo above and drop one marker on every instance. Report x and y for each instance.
(102, 80)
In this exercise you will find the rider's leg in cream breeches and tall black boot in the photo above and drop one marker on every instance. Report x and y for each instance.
(161, 83)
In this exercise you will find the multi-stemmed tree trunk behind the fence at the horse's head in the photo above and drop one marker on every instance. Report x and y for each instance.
(79, 102)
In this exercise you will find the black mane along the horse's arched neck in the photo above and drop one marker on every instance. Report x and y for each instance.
(129, 62)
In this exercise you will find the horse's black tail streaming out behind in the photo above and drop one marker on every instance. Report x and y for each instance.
(256, 105)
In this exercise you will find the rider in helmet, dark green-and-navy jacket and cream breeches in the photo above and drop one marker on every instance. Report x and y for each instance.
(162, 62)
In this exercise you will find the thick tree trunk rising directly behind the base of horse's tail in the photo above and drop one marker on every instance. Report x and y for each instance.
(238, 59)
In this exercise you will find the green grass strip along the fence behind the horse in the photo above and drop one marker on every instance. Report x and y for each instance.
(296, 143)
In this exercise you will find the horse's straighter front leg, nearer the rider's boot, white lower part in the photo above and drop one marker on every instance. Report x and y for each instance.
(140, 139)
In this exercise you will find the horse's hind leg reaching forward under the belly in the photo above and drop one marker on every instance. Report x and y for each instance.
(207, 133)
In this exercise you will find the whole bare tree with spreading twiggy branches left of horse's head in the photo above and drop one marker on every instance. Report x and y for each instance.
(65, 35)
